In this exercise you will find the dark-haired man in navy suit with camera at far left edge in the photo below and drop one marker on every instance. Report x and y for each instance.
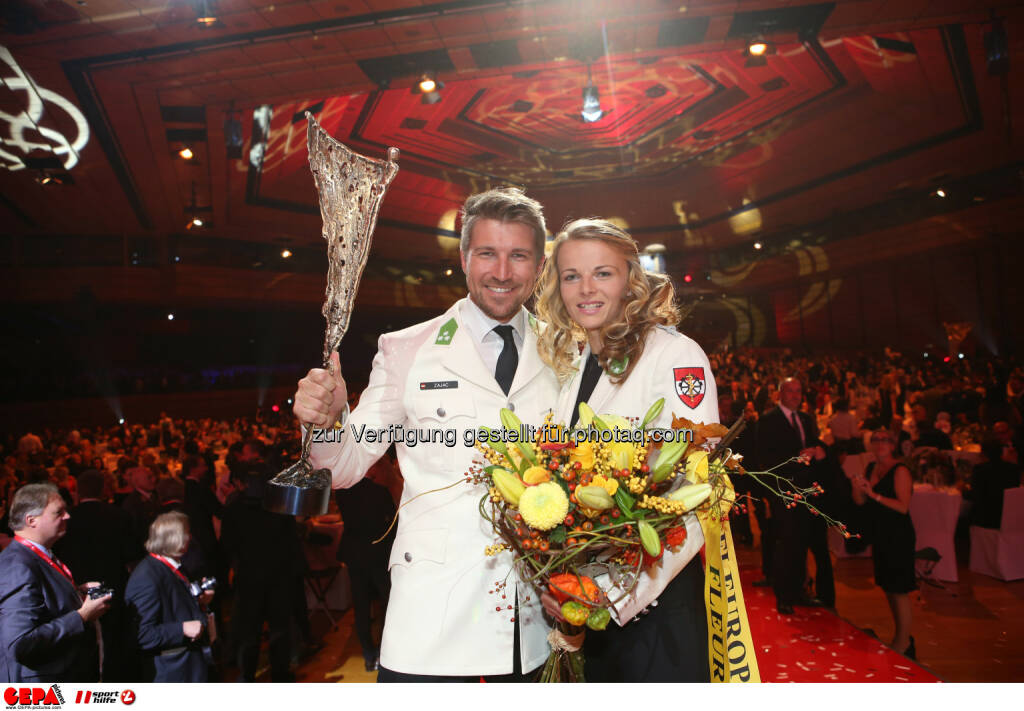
(46, 626)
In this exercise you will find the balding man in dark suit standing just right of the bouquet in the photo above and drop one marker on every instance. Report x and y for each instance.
(785, 433)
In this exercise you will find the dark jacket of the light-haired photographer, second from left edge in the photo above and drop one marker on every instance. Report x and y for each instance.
(159, 603)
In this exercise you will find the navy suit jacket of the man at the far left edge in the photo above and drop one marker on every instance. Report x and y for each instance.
(42, 637)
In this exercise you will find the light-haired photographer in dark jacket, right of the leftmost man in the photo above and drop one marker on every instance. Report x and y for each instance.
(167, 619)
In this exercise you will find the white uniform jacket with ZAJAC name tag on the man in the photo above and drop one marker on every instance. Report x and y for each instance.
(442, 617)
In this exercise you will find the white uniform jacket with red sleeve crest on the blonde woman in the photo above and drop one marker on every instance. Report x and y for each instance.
(674, 367)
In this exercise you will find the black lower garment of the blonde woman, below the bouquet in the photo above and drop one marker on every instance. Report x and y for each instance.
(669, 644)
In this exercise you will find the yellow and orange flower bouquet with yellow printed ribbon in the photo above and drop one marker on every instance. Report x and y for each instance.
(603, 503)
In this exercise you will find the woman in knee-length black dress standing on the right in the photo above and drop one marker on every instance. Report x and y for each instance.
(886, 489)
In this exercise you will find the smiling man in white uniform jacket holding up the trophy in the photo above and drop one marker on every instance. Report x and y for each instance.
(454, 613)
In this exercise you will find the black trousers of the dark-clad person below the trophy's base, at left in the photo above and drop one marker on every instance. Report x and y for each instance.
(259, 602)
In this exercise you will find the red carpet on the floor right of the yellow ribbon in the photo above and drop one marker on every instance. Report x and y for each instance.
(817, 646)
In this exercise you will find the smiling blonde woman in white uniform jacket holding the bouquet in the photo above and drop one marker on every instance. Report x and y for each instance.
(611, 339)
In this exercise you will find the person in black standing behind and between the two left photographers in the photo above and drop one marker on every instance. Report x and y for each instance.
(101, 546)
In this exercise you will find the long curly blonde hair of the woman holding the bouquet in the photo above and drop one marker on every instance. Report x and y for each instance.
(651, 302)
